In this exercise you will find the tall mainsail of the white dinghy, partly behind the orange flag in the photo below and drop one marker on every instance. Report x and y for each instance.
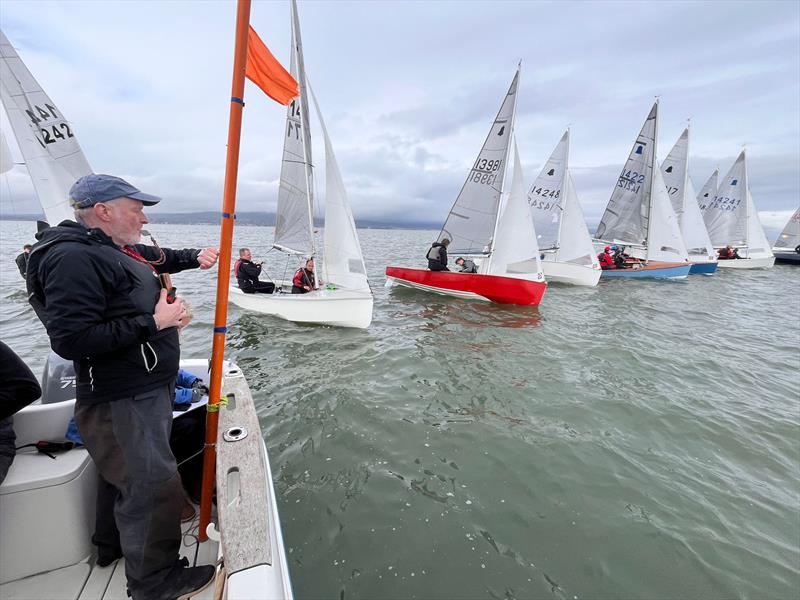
(294, 215)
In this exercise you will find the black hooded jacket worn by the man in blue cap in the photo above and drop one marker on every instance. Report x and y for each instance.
(97, 305)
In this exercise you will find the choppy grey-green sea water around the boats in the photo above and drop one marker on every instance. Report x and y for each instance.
(637, 440)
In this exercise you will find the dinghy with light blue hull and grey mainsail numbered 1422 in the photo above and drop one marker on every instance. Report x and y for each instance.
(639, 214)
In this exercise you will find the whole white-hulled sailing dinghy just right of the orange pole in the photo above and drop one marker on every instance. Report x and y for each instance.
(345, 298)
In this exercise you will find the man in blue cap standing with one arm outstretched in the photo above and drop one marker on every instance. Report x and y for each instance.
(98, 293)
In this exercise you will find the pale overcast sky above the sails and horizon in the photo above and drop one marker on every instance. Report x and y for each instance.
(409, 90)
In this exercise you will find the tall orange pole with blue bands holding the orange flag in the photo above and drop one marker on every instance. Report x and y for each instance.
(224, 272)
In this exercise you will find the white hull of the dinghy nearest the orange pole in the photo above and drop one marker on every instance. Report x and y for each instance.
(339, 307)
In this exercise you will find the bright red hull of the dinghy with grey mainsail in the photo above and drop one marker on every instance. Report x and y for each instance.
(502, 290)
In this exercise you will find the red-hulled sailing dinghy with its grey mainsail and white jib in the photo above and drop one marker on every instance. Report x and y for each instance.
(499, 235)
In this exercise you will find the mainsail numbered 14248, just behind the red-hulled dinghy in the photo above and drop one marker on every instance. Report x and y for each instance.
(546, 197)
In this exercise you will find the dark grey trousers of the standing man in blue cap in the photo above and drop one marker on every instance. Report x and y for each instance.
(128, 439)
